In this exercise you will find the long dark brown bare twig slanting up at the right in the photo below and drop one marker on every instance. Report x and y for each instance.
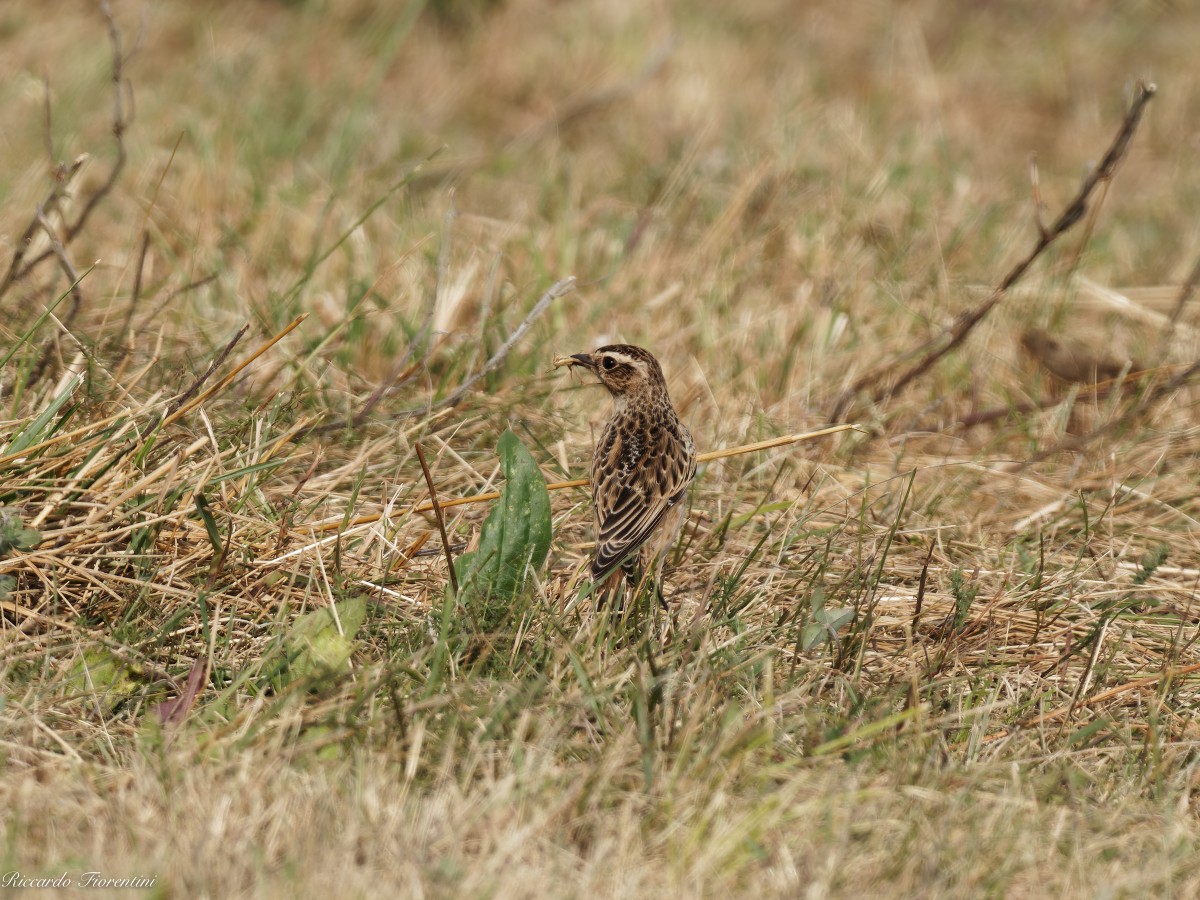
(1072, 213)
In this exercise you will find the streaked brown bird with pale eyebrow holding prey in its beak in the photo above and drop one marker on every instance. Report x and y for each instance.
(643, 466)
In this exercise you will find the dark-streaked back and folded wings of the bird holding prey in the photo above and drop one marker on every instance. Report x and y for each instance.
(634, 491)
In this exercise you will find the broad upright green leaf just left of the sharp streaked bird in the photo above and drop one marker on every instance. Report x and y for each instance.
(515, 538)
